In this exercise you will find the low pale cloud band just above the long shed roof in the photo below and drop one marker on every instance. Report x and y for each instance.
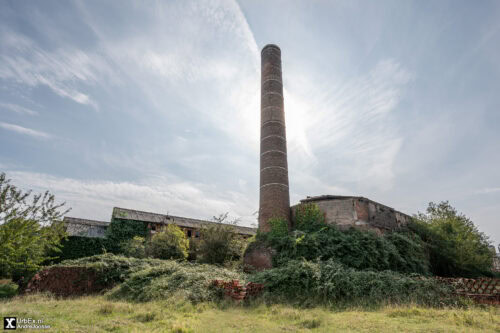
(166, 194)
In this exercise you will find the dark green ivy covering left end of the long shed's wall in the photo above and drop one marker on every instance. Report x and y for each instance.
(122, 230)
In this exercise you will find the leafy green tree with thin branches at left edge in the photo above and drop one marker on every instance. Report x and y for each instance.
(30, 229)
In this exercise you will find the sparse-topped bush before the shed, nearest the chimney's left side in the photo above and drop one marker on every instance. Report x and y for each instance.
(219, 242)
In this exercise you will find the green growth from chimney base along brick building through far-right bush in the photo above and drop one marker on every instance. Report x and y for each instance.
(441, 242)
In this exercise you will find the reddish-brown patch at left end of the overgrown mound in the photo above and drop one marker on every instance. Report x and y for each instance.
(67, 281)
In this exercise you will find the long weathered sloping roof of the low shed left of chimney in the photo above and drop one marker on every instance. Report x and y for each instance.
(137, 215)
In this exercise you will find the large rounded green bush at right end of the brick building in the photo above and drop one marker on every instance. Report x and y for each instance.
(455, 246)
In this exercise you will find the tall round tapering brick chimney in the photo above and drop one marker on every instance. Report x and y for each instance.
(274, 192)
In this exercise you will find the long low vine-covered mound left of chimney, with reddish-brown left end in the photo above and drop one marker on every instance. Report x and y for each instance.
(135, 279)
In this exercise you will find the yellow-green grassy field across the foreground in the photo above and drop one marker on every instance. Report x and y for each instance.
(97, 314)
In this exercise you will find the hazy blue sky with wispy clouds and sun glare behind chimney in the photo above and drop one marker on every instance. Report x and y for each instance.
(155, 105)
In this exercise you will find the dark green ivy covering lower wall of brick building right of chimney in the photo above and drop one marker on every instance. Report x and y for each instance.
(315, 240)
